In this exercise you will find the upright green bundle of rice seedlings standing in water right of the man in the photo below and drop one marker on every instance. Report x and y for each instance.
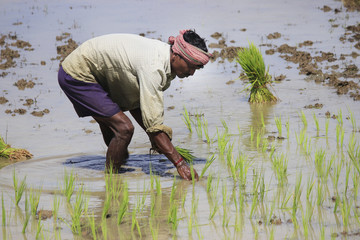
(253, 65)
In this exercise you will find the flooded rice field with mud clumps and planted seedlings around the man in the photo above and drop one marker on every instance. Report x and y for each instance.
(288, 170)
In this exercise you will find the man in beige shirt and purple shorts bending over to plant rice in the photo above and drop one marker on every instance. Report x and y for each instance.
(108, 75)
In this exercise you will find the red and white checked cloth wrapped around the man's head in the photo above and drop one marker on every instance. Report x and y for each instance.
(192, 54)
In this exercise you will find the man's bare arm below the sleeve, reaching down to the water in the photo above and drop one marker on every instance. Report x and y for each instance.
(163, 145)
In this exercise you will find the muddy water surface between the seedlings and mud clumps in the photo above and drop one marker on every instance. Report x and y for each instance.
(60, 141)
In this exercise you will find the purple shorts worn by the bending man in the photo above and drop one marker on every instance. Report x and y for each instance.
(89, 99)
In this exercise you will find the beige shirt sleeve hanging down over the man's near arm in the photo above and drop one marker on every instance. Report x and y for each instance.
(151, 82)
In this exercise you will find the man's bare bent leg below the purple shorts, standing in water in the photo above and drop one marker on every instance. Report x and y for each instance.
(117, 132)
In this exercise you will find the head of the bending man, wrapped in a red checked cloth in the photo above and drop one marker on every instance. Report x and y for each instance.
(188, 53)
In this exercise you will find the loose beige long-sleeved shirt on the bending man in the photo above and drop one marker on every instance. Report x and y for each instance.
(134, 71)
